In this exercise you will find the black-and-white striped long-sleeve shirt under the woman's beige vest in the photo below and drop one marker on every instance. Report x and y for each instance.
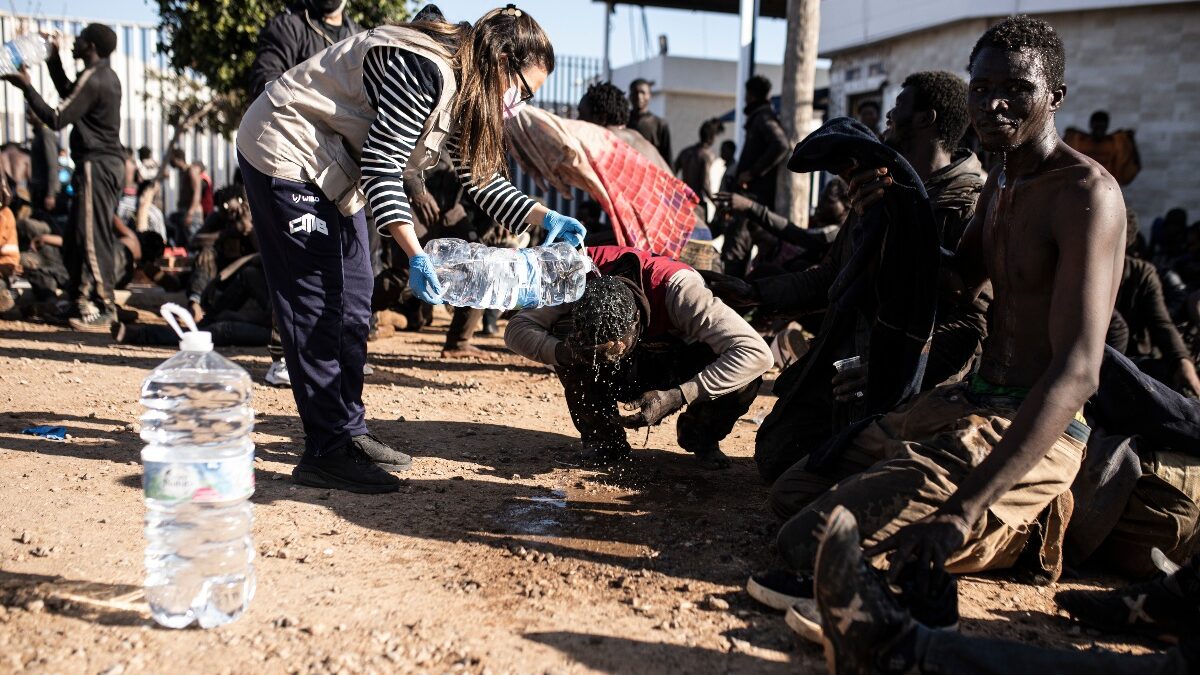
(404, 88)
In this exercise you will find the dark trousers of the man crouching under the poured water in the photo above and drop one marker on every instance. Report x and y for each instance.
(592, 397)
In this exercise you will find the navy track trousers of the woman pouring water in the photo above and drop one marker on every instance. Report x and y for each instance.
(319, 270)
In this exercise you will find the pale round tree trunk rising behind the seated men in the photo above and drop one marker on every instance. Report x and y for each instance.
(800, 77)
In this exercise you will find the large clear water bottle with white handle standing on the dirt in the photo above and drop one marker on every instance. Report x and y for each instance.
(200, 475)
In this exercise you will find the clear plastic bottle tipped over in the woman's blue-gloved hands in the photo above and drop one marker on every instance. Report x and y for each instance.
(475, 276)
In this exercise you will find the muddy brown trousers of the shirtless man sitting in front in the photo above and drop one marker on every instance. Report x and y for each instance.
(908, 464)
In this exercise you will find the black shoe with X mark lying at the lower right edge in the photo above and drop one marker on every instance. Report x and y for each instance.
(1166, 607)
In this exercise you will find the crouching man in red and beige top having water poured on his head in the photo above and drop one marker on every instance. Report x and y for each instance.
(650, 333)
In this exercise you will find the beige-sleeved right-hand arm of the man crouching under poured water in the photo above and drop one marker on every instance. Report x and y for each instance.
(742, 356)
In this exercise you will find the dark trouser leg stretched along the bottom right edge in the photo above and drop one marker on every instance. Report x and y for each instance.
(950, 653)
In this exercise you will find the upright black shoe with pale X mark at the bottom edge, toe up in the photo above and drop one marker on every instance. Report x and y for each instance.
(867, 631)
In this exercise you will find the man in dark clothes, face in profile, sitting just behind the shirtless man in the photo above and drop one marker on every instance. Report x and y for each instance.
(926, 126)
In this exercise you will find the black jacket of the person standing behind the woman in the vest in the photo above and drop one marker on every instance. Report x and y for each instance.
(287, 41)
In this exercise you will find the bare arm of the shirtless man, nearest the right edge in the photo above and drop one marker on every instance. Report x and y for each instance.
(1091, 250)
